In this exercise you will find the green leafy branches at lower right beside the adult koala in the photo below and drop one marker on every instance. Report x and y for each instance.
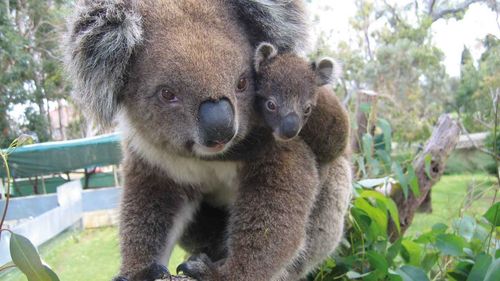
(467, 249)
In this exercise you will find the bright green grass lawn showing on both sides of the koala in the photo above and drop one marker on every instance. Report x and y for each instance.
(93, 254)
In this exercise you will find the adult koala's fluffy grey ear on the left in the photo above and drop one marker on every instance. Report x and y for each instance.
(101, 38)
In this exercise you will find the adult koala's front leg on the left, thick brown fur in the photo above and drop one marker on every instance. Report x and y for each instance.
(153, 212)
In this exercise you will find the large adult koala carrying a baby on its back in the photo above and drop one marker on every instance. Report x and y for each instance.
(198, 168)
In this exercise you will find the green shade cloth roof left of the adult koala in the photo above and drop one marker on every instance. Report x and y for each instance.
(63, 156)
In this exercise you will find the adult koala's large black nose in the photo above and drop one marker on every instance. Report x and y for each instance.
(216, 122)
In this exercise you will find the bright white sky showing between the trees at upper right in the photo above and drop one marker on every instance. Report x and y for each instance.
(448, 35)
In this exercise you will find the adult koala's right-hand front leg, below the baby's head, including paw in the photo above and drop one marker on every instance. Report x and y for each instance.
(268, 220)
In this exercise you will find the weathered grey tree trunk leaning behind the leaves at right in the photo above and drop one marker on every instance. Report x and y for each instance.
(443, 140)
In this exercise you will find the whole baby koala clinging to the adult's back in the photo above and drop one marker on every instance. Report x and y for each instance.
(287, 90)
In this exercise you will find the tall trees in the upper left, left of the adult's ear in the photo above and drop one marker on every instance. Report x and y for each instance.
(30, 64)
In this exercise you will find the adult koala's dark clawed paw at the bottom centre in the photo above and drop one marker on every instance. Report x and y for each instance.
(200, 267)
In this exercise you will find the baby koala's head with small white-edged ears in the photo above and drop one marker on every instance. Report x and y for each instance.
(287, 88)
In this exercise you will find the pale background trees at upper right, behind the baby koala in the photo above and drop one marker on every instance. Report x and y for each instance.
(393, 54)
